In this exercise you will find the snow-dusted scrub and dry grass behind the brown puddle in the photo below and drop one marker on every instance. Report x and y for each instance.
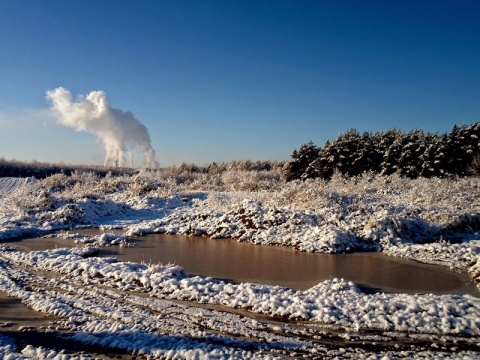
(368, 212)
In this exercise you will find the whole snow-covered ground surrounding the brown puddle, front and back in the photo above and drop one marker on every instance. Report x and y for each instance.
(159, 311)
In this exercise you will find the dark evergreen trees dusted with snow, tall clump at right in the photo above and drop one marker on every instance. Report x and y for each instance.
(411, 154)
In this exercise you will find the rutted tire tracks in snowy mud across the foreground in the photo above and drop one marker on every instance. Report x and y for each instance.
(99, 315)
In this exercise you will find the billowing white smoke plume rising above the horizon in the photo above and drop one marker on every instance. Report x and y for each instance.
(115, 128)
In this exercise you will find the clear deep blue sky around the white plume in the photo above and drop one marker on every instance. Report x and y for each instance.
(223, 80)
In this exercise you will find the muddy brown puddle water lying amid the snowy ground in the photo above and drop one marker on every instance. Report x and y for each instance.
(242, 262)
